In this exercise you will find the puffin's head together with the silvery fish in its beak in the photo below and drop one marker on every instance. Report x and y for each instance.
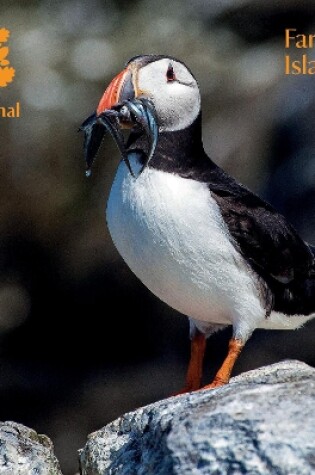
(155, 93)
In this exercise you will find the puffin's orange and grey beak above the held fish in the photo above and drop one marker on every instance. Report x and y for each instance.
(121, 88)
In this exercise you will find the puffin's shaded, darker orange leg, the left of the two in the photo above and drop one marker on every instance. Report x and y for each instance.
(194, 372)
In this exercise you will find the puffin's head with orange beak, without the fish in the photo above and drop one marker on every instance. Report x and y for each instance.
(165, 81)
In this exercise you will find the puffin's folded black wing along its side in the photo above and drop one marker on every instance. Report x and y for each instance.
(263, 236)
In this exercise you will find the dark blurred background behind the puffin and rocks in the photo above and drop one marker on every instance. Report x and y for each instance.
(81, 339)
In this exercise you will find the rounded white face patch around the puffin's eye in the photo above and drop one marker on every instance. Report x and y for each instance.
(177, 105)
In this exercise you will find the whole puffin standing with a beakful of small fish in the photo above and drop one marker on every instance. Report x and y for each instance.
(196, 238)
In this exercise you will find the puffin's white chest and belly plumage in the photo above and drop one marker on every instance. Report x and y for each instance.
(170, 232)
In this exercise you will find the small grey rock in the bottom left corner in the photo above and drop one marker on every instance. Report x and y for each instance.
(24, 452)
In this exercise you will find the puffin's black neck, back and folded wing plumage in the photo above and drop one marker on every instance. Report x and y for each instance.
(283, 262)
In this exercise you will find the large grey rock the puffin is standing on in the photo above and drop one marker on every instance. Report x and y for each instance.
(263, 422)
